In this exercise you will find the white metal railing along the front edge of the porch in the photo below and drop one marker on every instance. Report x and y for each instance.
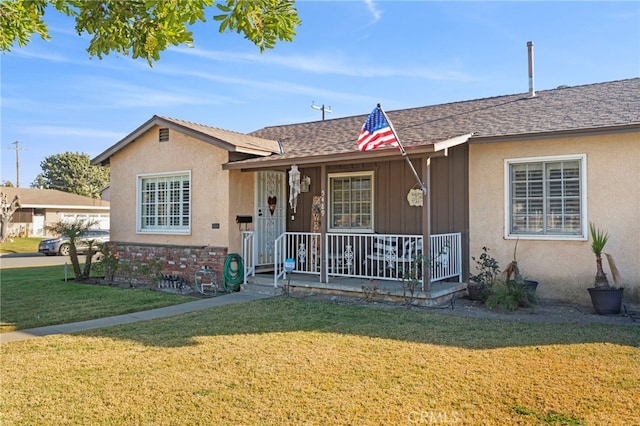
(370, 256)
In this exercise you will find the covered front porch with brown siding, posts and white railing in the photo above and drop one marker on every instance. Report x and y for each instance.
(373, 226)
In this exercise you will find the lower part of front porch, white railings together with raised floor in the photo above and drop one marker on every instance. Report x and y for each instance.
(386, 267)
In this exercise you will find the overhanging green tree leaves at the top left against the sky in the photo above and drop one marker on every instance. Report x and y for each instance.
(144, 28)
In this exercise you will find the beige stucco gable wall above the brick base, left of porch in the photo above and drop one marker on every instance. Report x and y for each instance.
(209, 185)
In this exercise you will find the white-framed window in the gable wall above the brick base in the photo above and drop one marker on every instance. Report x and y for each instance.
(164, 203)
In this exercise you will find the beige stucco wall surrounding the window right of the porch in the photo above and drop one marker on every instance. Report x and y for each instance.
(564, 269)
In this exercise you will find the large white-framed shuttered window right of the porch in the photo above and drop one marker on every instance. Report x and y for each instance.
(546, 197)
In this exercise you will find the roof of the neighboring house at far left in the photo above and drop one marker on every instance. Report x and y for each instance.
(51, 198)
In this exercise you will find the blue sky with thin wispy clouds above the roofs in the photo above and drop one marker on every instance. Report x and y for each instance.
(348, 55)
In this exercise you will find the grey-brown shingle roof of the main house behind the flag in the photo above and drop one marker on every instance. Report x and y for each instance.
(565, 109)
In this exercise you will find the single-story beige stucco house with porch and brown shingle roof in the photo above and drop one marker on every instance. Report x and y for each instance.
(534, 169)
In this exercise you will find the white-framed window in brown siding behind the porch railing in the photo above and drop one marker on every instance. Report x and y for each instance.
(351, 202)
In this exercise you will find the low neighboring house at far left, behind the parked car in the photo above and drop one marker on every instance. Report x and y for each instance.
(40, 208)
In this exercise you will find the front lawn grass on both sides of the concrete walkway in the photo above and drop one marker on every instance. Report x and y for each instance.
(288, 361)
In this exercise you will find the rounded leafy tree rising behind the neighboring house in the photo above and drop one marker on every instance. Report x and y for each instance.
(72, 172)
